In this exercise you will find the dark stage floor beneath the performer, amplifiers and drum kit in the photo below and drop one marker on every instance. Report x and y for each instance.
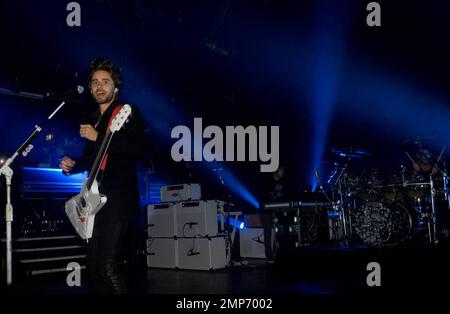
(302, 272)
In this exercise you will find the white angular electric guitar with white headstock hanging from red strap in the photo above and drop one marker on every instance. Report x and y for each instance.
(82, 208)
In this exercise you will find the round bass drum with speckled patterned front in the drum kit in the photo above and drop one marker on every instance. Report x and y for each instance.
(381, 224)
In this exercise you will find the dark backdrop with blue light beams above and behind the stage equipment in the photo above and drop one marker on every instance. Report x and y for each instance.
(314, 68)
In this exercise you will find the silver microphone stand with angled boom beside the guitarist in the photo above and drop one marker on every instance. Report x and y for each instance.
(6, 171)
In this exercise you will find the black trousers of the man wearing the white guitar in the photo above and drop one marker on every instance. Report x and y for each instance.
(104, 255)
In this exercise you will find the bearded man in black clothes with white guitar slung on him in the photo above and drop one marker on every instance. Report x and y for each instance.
(117, 180)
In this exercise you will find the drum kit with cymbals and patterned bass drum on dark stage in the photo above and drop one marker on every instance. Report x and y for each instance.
(384, 210)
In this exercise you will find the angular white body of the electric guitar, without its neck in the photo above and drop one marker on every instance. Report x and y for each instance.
(82, 208)
